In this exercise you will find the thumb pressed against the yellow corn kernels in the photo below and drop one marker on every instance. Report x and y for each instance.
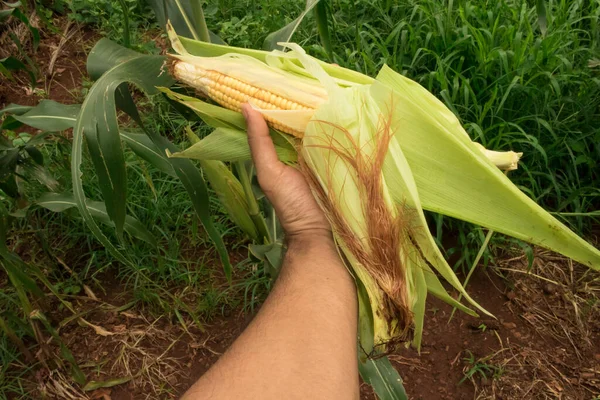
(261, 145)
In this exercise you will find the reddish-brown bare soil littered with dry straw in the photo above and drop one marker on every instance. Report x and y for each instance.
(544, 341)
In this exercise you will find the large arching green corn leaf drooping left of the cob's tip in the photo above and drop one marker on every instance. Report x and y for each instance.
(97, 121)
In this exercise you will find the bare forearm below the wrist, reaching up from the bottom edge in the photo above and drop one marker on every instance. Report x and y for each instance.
(303, 340)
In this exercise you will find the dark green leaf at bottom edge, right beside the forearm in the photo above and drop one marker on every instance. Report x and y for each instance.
(384, 378)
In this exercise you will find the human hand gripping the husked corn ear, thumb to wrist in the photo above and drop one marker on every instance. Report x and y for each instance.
(284, 186)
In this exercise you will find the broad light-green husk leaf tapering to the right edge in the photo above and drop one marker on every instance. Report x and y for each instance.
(453, 178)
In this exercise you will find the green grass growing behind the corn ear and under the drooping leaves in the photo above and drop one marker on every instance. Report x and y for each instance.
(513, 84)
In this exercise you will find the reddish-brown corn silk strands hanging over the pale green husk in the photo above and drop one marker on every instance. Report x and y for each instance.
(383, 253)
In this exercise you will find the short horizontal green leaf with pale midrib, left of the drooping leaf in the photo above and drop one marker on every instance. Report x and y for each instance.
(49, 115)
